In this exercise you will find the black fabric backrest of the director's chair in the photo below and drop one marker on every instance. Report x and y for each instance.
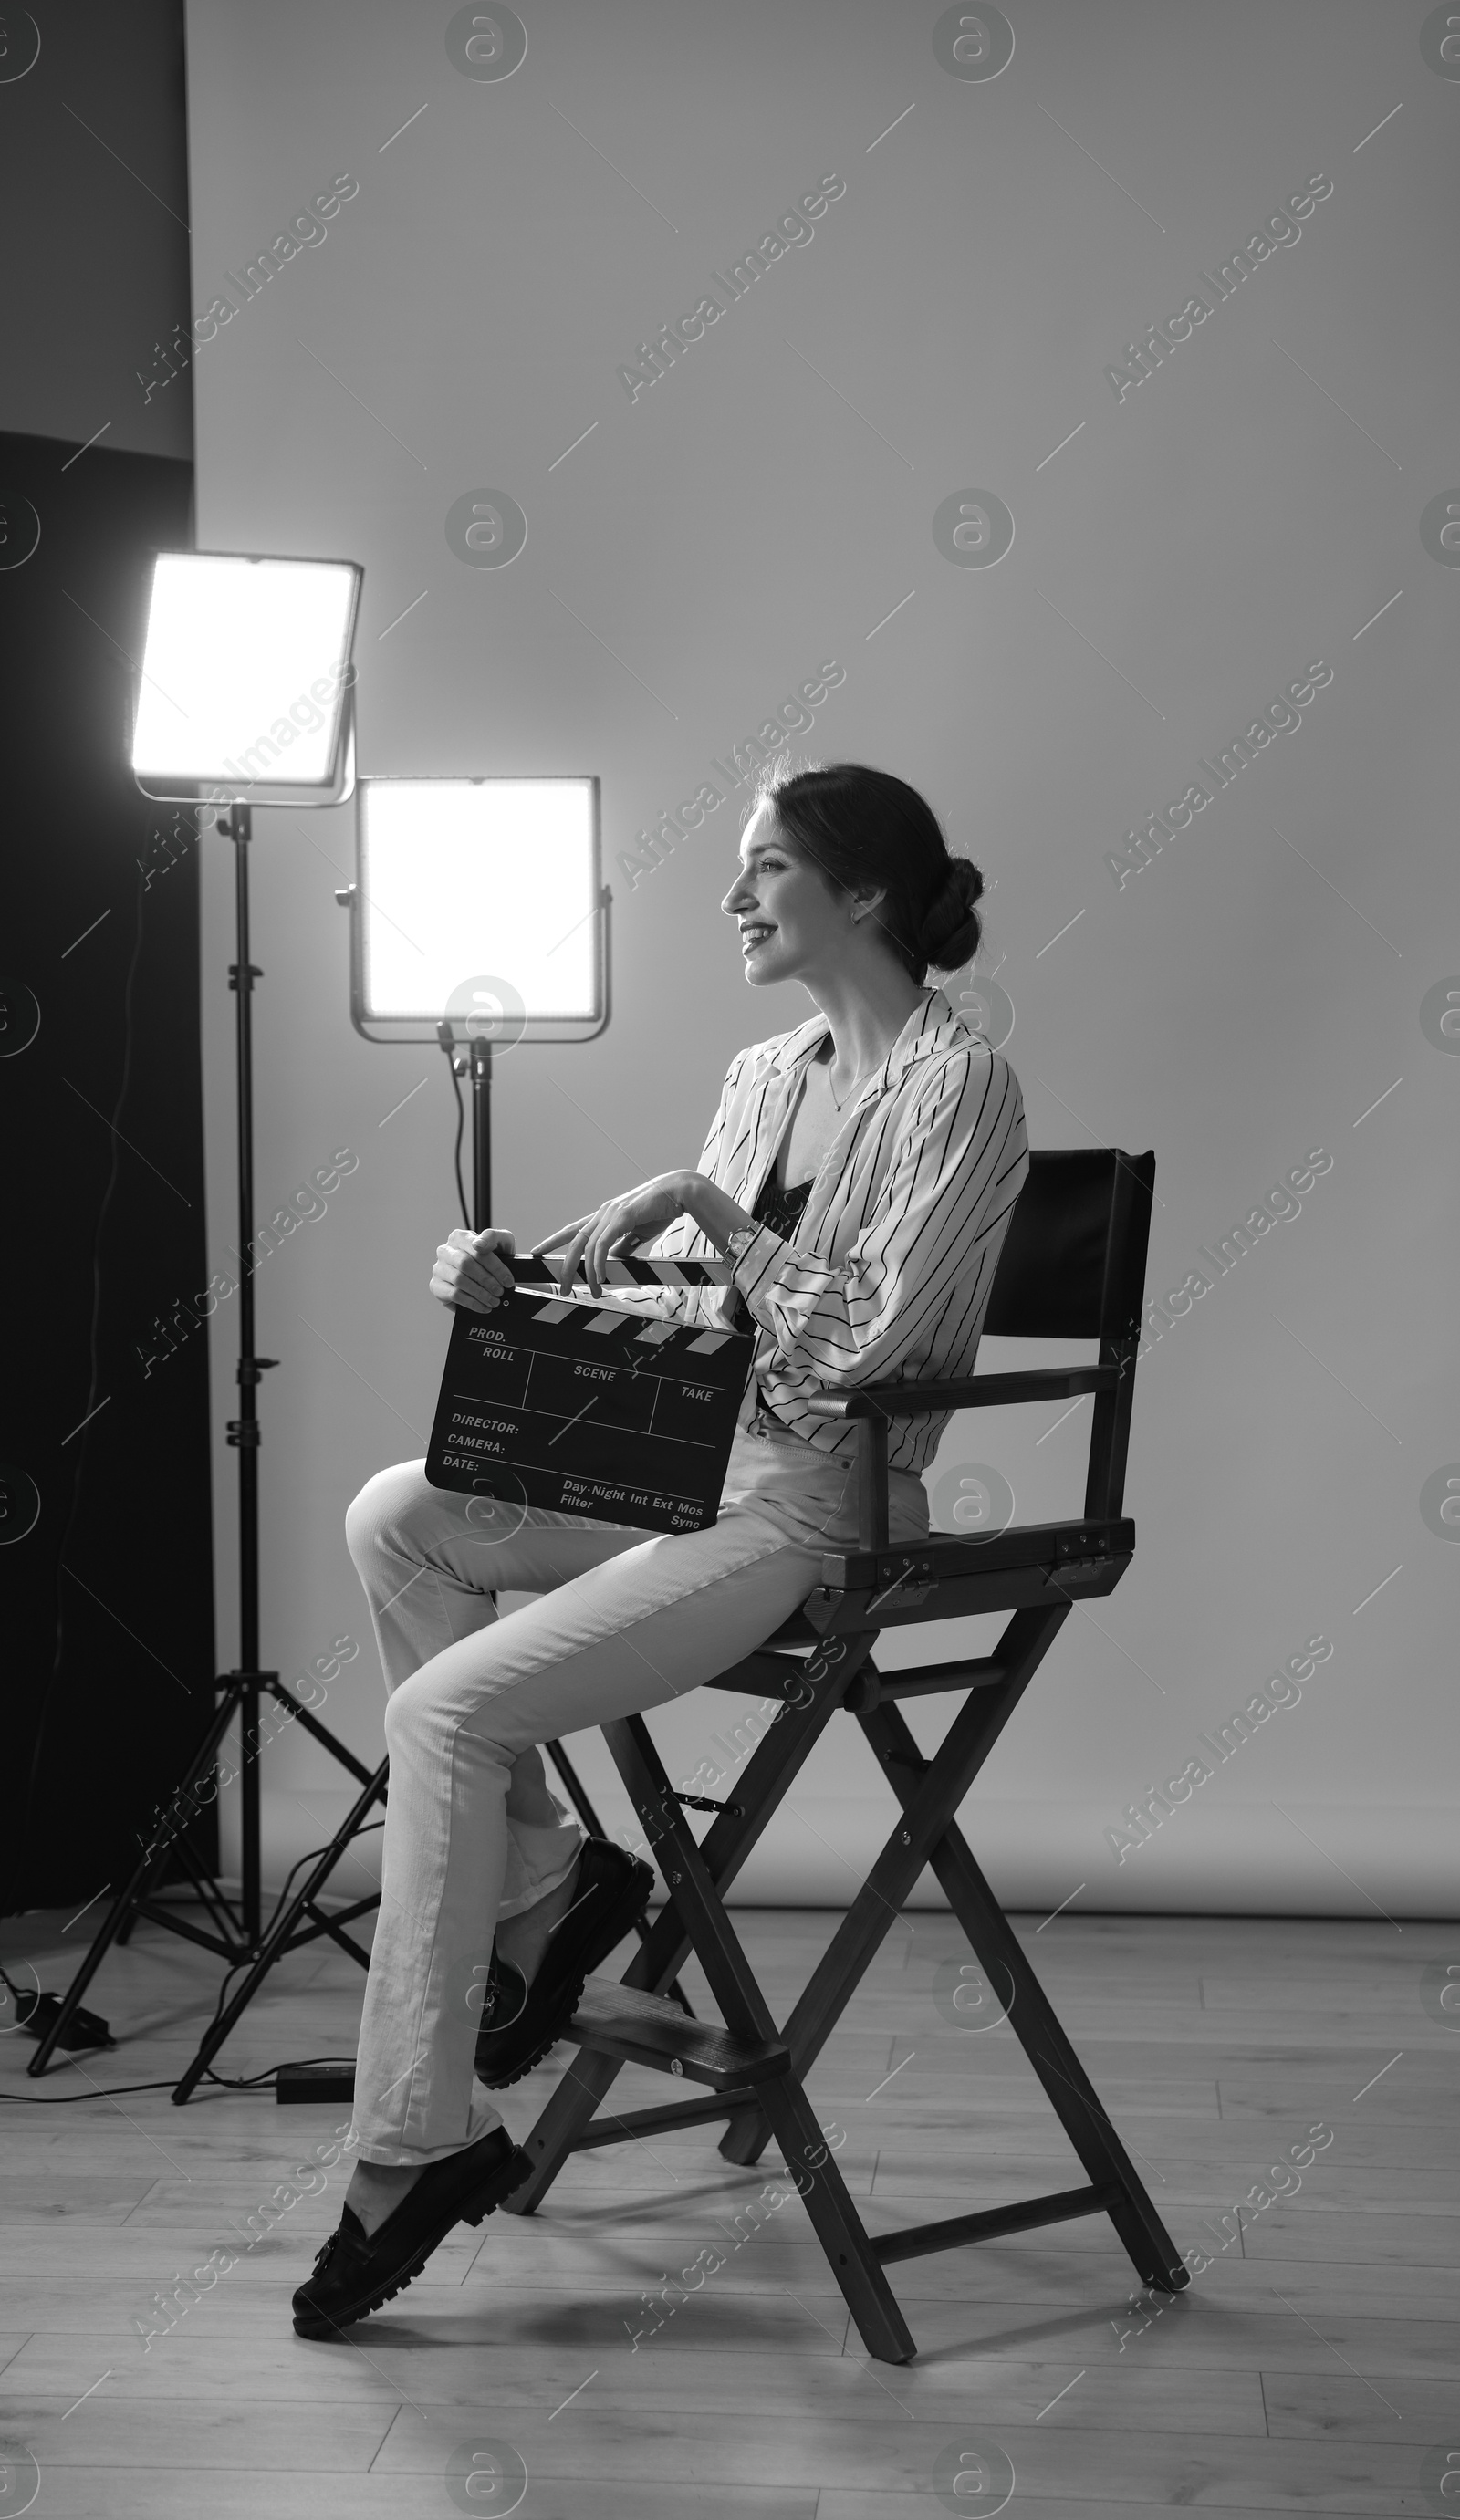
(1073, 1261)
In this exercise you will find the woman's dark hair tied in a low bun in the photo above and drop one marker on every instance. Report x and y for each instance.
(866, 828)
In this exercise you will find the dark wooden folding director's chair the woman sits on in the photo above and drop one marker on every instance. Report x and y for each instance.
(1073, 1266)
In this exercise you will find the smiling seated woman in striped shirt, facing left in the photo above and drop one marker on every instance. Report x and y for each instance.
(861, 1176)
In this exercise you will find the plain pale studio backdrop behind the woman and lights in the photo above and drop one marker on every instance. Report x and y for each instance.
(826, 480)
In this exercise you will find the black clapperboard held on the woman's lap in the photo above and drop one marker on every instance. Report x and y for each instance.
(589, 1407)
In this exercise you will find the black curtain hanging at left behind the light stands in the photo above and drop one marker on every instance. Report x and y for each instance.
(105, 1410)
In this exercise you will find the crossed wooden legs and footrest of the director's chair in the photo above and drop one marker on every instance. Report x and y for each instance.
(755, 2073)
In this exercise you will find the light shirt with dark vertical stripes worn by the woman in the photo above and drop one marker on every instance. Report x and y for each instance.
(894, 1259)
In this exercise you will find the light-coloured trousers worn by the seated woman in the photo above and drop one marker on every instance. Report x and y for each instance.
(624, 1622)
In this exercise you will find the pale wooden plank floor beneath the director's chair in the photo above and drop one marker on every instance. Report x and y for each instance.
(1312, 2368)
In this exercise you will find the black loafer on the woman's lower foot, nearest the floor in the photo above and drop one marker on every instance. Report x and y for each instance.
(357, 2272)
